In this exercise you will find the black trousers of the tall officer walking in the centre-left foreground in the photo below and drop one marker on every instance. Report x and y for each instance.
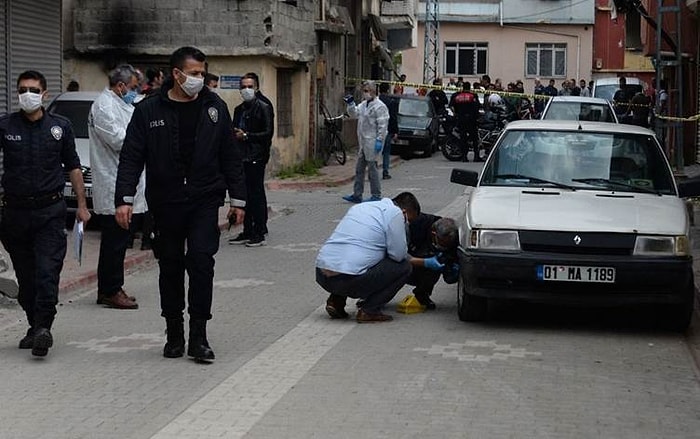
(187, 237)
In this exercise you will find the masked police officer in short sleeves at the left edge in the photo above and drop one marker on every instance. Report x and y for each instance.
(35, 144)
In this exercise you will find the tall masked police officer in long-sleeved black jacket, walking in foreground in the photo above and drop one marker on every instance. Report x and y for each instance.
(183, 137)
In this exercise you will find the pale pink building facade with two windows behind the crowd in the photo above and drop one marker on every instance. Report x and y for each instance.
(509, 39)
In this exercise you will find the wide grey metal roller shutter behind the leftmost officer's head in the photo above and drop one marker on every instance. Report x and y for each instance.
(34, 42)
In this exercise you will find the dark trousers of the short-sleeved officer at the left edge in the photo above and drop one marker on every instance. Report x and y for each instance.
(36, 242)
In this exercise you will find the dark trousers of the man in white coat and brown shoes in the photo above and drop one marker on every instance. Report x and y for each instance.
(110, 265)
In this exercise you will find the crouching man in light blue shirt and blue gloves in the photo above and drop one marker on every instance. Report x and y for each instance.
(366, 258)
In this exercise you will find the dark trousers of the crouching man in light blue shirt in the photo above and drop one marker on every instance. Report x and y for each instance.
(377, 286)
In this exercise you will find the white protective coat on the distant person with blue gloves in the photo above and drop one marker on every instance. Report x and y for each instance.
(372, 124)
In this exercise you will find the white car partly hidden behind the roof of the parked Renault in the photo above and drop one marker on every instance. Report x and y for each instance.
(579, 108)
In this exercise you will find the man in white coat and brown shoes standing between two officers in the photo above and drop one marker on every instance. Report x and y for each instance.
(109, 116)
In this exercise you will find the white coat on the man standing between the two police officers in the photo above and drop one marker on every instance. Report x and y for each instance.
(109, 117)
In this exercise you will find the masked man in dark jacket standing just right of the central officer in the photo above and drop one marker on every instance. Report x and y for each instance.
(252, 128)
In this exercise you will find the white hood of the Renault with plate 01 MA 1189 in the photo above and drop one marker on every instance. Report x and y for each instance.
(580, 210)
